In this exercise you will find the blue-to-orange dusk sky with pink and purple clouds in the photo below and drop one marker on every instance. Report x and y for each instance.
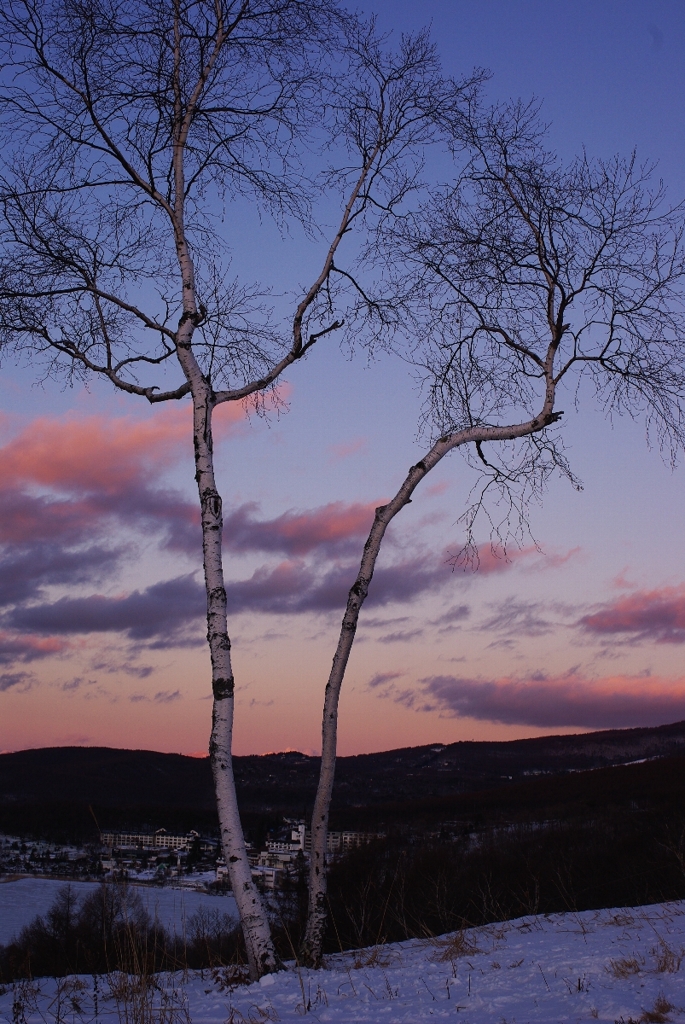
(583, 627)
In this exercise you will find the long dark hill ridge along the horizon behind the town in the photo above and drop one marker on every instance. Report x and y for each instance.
(60, 791)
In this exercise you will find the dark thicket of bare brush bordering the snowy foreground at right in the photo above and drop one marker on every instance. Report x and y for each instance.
(396, 889)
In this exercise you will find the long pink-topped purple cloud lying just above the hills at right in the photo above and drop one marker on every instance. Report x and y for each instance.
(616, 702)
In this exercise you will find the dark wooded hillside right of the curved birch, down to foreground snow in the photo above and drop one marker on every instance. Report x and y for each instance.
(615, 837)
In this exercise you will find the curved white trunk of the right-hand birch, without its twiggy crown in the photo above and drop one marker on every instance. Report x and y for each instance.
(318, 916)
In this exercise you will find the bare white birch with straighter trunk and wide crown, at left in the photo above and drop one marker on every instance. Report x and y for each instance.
(126, 126)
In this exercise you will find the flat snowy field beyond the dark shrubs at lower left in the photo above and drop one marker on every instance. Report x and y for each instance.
(23, 900)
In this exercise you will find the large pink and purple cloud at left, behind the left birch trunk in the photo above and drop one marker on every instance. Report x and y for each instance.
(99, 466)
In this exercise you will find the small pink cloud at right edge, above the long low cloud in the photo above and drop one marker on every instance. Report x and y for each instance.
(656, 615)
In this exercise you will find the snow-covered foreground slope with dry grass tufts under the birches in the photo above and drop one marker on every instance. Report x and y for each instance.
(615, 966)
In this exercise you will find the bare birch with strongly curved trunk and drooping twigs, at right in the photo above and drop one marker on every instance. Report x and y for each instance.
(525, 280)
